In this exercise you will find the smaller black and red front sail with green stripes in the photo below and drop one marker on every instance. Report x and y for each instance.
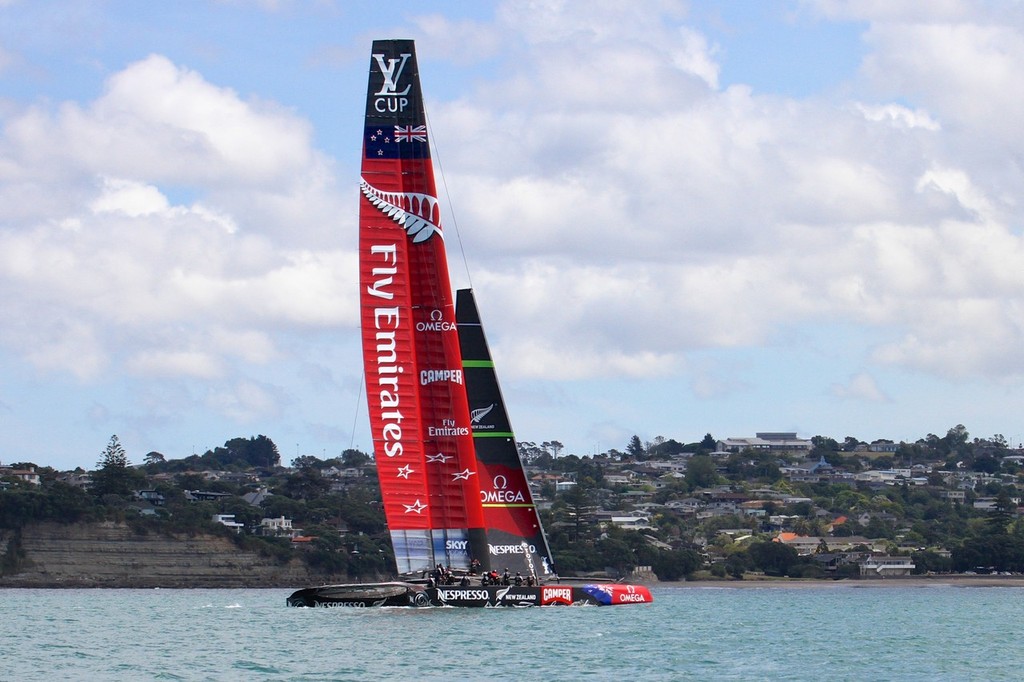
(516, 537)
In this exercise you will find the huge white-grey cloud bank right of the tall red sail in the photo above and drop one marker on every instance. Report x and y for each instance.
(628, 219)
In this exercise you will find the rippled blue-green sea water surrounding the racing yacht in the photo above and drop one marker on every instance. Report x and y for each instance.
(827, 633)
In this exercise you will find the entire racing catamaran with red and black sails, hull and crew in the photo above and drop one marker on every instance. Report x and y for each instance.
(455, 494)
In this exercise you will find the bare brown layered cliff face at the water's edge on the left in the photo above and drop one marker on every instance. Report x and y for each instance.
(112, 556)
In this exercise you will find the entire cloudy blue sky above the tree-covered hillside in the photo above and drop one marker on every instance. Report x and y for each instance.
(679, 218)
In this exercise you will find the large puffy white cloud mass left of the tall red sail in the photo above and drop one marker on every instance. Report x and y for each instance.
(93, 237)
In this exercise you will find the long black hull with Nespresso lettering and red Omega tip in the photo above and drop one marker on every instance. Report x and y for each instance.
(481, 596)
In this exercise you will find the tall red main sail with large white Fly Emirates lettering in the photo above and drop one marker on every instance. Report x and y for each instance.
(419, 414)
